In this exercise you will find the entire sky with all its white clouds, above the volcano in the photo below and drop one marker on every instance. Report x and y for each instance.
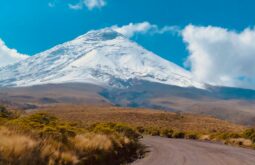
(214, 39)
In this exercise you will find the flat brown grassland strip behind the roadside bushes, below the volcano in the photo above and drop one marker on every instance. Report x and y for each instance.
(144, 118)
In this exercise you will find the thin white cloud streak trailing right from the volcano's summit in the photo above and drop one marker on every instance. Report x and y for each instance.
(144, 27)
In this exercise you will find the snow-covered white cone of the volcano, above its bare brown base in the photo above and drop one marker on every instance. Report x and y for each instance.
(102, 57)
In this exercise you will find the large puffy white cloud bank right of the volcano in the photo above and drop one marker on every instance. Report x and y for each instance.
(221, 57)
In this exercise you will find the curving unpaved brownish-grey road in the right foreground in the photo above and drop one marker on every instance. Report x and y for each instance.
(187, 152)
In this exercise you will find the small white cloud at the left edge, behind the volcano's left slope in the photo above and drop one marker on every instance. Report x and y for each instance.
(9, 56)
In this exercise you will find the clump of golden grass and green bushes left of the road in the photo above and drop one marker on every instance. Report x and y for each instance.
(41, 139)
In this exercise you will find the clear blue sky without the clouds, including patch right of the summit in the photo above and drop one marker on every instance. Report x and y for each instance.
(32, 26)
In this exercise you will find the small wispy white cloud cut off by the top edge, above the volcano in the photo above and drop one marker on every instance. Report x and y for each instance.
(90, 4)
